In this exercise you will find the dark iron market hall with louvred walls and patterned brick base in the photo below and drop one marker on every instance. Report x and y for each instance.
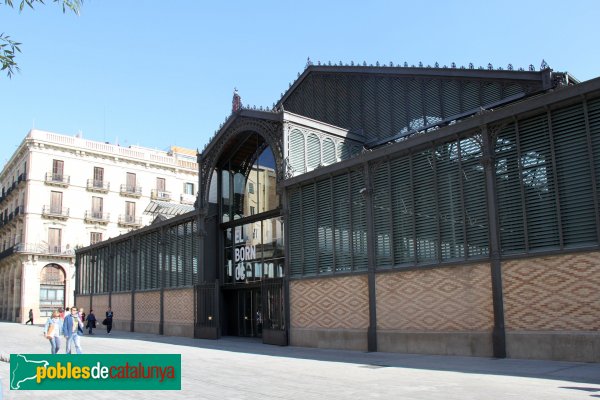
(417, 209)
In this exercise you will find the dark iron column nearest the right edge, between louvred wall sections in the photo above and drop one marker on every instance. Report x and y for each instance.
(488, 161)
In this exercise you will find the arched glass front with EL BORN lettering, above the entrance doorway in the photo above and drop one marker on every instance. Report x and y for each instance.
(253, 246)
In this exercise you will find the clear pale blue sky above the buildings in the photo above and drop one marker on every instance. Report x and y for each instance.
(160, 73)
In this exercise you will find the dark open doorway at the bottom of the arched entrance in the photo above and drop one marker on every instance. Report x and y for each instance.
(244, 313)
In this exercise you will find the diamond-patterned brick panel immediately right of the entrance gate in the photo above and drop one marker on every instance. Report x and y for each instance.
(330, 303)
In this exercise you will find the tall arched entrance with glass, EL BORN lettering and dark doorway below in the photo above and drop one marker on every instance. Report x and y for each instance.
(251, 239)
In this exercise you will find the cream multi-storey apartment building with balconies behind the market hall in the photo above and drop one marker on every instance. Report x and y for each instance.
(59, 193)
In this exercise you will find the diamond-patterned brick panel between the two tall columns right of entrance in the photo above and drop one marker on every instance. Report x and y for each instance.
(440, 299)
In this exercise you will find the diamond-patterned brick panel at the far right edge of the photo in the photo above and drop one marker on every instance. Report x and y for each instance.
(552, 293)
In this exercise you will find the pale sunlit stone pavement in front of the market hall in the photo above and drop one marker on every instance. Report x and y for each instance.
(236, 368)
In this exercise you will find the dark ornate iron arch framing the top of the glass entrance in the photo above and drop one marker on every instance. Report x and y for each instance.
(270, 131)
